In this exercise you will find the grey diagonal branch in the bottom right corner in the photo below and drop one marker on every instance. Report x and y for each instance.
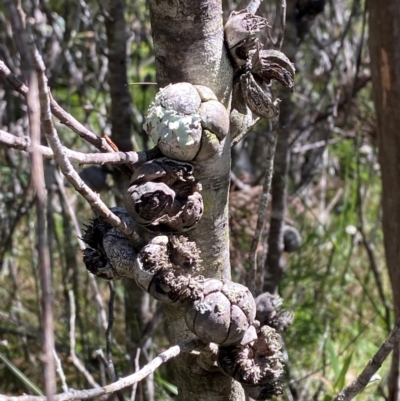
(361, 382)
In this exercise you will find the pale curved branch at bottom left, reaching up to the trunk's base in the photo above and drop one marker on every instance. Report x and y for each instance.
(120, 384)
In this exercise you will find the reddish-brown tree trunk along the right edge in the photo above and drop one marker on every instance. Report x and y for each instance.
(385, 66)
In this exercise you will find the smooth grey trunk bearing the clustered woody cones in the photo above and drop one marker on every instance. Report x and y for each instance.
(189, 47)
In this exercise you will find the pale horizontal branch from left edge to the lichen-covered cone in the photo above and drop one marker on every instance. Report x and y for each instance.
(24, 143)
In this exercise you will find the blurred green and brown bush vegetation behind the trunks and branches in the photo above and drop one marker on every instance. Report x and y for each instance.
(336, 283)
